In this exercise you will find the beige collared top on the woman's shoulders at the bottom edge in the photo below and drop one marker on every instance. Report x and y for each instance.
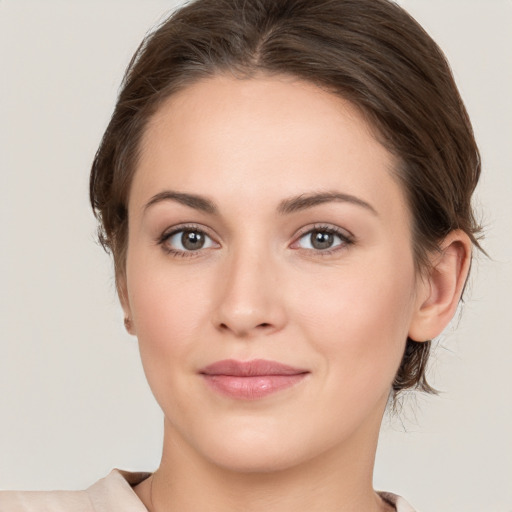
(113, 493)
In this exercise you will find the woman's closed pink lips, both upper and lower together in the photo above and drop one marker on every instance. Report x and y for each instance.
(251, 380)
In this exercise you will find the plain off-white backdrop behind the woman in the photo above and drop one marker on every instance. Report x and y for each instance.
(73, 398)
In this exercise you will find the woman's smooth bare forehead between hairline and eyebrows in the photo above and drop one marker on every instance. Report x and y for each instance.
(237, 139)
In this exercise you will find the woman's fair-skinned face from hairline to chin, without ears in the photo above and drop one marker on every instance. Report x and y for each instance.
(265, 224)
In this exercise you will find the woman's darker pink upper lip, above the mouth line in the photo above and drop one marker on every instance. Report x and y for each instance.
(250, 368)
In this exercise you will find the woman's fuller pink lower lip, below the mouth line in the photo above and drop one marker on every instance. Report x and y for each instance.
(254, 387)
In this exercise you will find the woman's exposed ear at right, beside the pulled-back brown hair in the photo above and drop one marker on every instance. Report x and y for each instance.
(442, 287)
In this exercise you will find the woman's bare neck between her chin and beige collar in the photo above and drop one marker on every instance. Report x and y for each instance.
(339, 480)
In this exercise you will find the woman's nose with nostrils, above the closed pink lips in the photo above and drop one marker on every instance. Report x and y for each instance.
(250, 301)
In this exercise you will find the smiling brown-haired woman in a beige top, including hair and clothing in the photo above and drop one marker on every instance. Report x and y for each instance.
(285, 188)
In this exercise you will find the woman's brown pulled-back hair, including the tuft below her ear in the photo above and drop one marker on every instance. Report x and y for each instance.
(370, 52)
